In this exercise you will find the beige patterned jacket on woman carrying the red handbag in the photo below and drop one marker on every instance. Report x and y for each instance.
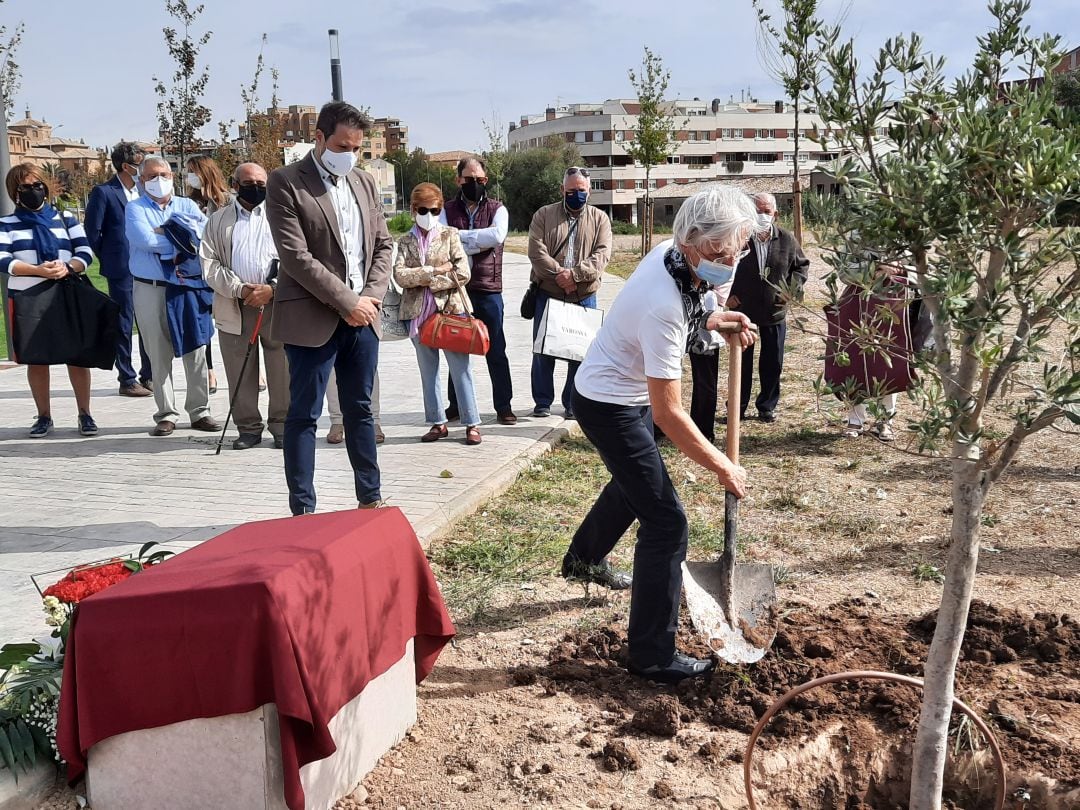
(414, 276)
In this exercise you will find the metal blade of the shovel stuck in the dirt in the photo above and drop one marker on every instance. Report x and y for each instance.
(753, 627)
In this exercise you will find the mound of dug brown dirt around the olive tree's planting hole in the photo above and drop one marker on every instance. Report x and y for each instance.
(1033, 661)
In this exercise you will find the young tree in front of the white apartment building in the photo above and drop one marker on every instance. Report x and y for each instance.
(655, 136)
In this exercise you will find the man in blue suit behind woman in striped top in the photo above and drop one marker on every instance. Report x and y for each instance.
(105, 229)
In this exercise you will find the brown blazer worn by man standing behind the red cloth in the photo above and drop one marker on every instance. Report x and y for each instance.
(314, 293)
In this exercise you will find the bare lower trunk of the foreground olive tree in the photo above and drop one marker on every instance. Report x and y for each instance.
(931, 744)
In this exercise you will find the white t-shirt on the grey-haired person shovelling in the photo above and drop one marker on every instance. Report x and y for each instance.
(644, 335)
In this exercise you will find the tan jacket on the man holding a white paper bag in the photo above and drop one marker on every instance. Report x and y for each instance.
(592, 246)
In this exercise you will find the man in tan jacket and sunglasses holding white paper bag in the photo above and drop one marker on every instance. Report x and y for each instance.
(570, 247)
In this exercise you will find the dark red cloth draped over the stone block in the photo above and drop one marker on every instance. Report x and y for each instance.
(302, 613)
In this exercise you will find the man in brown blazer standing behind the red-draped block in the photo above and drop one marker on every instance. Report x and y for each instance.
(334, 247)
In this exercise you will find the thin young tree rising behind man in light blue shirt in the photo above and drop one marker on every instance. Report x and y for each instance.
(181, 111)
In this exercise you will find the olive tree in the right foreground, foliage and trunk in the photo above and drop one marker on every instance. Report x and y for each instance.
(965, 190)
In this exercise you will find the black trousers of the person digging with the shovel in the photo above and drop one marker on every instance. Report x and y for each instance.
(640, 489)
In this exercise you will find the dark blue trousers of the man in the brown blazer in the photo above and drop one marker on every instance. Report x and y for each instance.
(354, 353)
